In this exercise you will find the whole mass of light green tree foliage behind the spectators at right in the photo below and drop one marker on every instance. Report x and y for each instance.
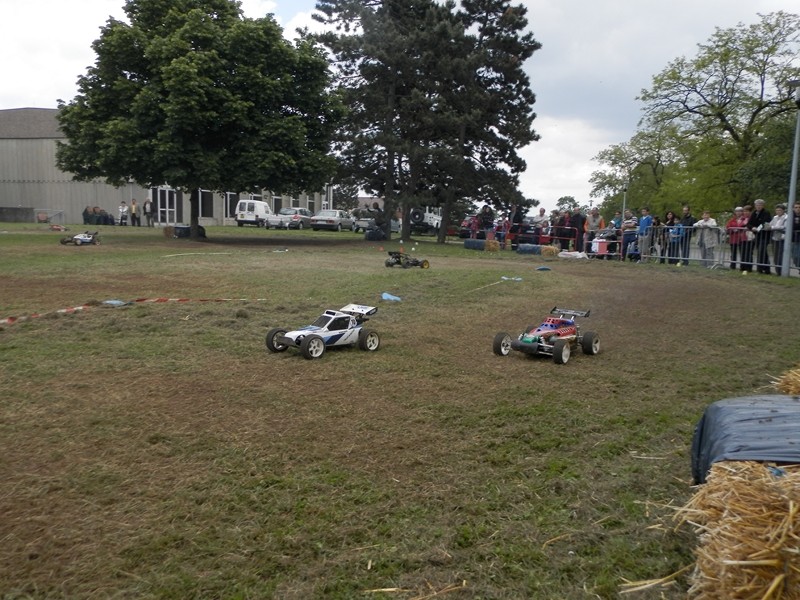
(714, 126)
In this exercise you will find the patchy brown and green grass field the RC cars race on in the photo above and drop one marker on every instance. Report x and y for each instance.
(156, 450)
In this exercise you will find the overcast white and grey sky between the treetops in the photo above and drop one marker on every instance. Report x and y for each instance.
(596, 56)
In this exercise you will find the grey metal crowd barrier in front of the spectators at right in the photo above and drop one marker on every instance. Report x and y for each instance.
(711, 247)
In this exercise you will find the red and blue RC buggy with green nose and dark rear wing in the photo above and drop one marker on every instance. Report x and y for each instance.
(557, 336)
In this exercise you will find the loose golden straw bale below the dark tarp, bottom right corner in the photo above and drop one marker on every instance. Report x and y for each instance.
(747, 515)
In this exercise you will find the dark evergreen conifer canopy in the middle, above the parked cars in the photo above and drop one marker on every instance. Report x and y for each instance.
(439, 102)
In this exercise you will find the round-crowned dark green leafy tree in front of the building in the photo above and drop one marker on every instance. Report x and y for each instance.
(193, 94)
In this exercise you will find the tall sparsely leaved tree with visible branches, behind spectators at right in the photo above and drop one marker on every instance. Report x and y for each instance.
(722, 101)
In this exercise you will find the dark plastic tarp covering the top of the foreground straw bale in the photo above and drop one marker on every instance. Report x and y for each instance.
(760, 428)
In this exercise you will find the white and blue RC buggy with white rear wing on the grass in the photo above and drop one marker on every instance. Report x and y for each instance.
(343, 327)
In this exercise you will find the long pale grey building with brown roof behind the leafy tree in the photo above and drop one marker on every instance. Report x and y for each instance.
(30, 180)
